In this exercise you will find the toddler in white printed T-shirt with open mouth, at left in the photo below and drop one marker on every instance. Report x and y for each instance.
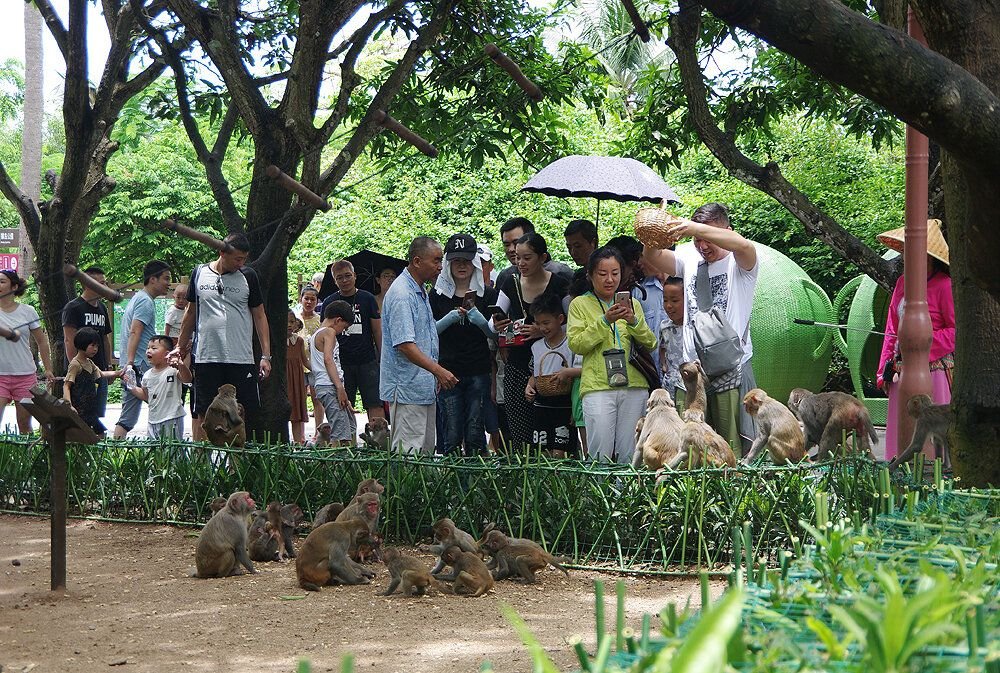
(161, 388)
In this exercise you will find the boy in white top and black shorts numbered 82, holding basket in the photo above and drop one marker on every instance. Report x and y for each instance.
(553, 428)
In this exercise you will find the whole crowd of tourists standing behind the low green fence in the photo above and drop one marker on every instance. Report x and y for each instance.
(454, 356)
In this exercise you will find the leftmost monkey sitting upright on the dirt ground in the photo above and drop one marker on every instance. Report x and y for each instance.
(222, 545)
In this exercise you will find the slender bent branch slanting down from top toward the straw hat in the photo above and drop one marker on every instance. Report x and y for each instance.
(685, 27)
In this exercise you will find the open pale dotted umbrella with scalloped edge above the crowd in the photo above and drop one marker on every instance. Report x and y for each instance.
(612, 178)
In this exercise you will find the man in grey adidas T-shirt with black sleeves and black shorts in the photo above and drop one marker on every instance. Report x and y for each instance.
(225, 307)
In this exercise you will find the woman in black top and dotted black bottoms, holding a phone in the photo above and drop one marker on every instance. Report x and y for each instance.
(517, 330)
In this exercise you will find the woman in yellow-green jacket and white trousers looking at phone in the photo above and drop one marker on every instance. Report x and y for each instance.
(602, 330)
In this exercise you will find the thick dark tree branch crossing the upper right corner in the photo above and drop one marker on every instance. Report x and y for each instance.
(921, 87)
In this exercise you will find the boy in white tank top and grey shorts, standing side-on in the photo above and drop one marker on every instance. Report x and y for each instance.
(324, 355)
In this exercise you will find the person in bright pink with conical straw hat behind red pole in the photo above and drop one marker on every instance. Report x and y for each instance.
(941, 307)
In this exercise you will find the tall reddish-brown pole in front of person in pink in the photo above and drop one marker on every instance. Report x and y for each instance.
(915, 331)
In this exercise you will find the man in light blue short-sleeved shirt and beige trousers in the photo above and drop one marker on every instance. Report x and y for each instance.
(409, 372)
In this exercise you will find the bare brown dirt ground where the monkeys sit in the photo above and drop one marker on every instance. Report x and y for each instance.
(130, 605)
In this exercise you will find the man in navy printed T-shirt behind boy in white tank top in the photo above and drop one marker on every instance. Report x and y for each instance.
(361, 343)
